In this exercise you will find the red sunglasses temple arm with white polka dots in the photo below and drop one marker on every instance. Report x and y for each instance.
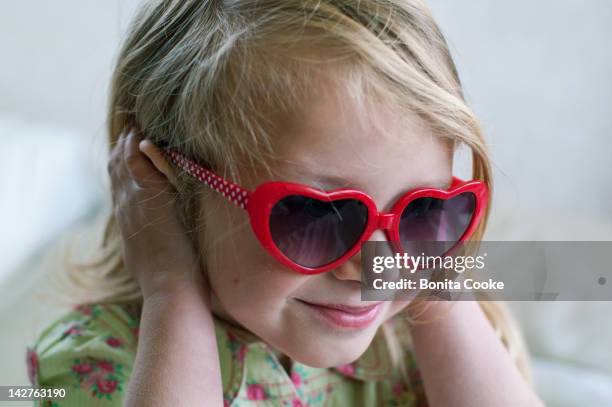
(233, 192)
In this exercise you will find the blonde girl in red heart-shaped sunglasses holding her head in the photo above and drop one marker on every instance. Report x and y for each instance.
(226, 277)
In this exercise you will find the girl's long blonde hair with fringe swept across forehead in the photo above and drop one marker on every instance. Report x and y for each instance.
(206, 76)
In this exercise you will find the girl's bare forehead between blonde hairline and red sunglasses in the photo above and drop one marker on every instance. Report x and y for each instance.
(335, 141)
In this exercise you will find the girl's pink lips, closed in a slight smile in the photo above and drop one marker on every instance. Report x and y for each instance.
(346, 316)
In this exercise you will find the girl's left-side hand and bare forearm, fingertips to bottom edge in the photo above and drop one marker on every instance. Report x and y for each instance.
(173, 365)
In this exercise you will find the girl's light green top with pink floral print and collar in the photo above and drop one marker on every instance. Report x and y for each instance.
(90, 352)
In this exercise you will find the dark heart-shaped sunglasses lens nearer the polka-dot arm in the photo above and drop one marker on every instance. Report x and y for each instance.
(313, 233)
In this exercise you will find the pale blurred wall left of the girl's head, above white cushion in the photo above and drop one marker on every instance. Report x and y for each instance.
(57, 58)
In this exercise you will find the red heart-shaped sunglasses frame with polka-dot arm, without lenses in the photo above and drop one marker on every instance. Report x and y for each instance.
(259, 204)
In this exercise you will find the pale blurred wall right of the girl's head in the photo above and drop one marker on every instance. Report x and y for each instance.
(538, 74)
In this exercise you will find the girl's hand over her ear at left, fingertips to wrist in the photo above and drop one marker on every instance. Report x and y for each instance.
(156, 247)
